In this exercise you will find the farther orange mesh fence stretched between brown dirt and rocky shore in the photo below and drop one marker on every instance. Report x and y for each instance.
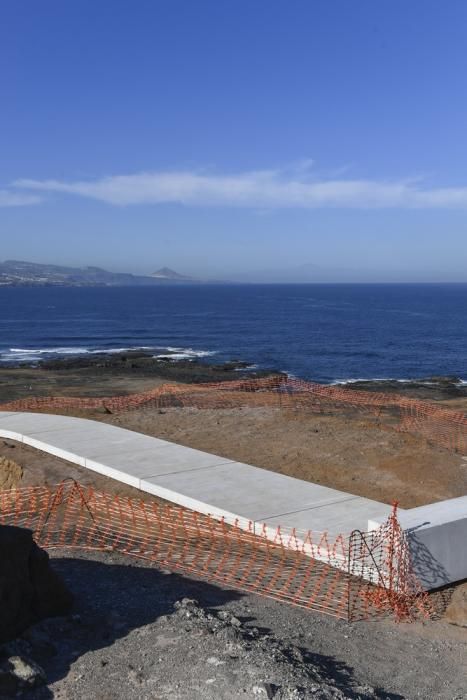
(437, 424)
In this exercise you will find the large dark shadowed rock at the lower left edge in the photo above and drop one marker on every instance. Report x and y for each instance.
(29, 588)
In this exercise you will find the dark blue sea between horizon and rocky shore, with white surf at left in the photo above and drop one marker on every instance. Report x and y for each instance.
(325, 333)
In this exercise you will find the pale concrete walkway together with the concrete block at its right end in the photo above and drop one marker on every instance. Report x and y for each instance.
(239, 492)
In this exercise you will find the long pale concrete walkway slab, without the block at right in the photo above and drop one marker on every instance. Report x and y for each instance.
(198, 480)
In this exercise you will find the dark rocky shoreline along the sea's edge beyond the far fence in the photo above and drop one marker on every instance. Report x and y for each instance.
(103, 369)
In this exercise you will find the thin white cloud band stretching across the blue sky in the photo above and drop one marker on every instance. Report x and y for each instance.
(263, 189)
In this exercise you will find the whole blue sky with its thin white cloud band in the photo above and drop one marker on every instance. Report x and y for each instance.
(228, 137)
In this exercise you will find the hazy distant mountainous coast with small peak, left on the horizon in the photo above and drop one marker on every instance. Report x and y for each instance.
(14, 273)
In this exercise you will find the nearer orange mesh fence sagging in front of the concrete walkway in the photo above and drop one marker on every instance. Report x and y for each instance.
(353, 578)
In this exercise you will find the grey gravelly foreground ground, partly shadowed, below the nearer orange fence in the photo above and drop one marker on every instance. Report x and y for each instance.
(127, 641)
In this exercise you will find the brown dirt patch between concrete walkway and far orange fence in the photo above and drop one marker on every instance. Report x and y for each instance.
(354, 454)
